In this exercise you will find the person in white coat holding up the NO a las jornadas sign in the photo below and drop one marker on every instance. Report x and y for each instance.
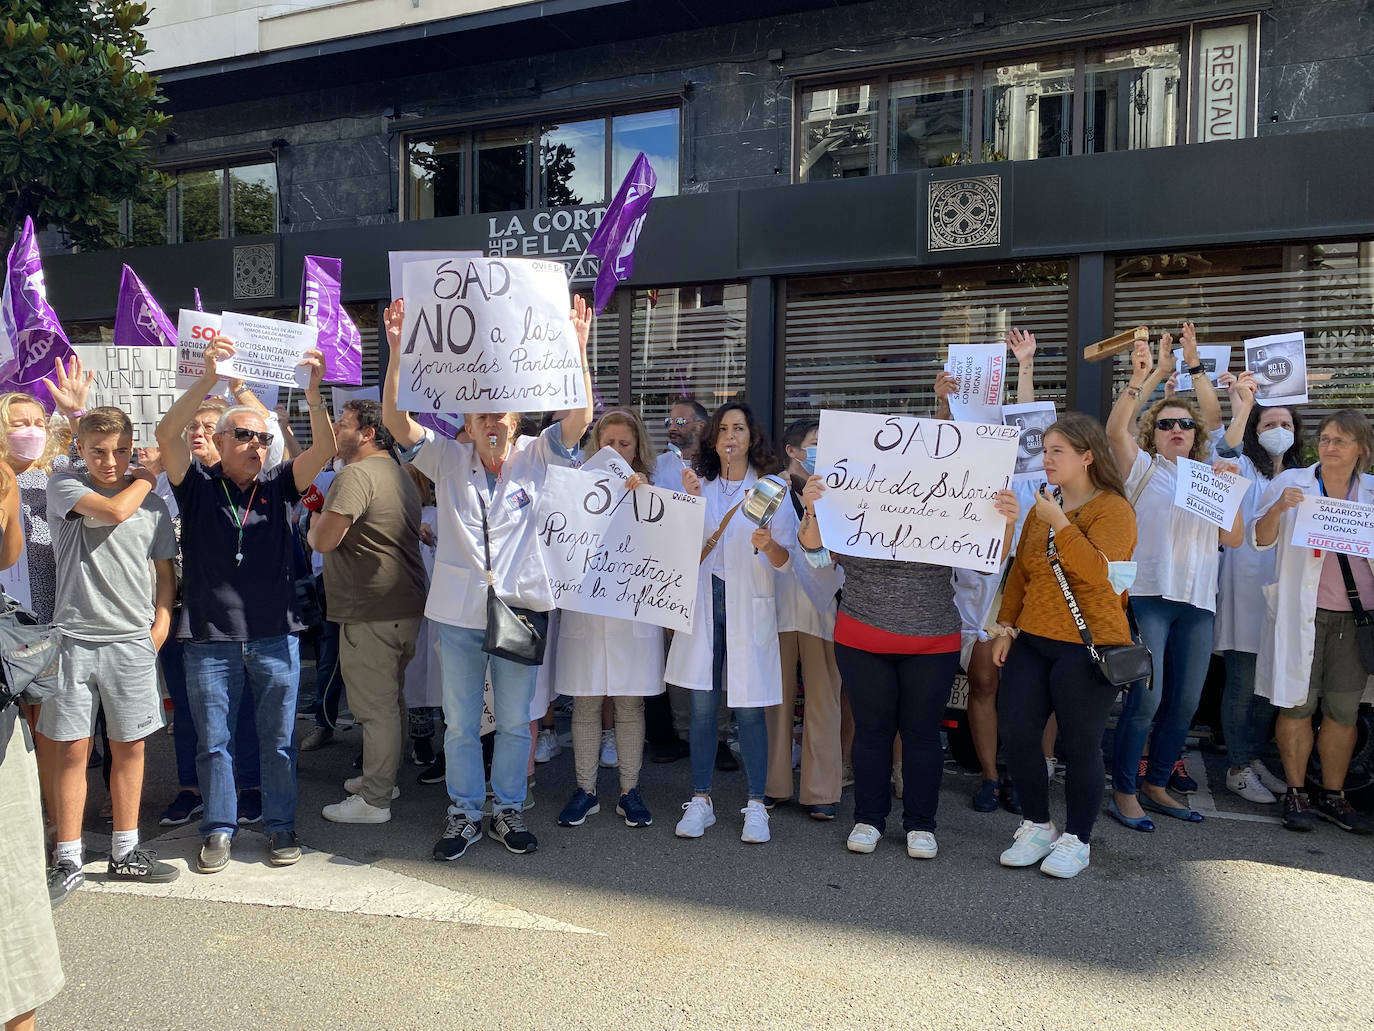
(487, 493)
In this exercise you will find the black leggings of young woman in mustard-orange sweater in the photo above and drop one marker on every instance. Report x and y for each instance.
(1045, 677)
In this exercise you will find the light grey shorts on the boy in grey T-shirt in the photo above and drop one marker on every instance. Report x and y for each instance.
(117, 676)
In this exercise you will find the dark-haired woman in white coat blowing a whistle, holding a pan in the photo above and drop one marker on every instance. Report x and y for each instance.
(733, 645)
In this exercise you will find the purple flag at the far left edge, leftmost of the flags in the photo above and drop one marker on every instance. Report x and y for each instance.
(31, 336)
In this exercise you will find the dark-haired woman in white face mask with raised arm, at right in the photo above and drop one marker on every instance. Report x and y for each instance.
(1272, 445)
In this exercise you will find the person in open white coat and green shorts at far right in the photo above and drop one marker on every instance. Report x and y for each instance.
(1310, 655)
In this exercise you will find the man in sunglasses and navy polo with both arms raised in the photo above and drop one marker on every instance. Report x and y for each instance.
(240, 606)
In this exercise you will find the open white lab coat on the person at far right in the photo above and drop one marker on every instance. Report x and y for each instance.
(1285, 666)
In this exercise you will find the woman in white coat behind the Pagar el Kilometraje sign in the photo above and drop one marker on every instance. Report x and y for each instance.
(600, 658)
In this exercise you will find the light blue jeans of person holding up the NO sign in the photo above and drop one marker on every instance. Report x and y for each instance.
(513, 692)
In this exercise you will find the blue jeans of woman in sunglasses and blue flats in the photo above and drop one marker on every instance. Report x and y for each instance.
(1180, 639)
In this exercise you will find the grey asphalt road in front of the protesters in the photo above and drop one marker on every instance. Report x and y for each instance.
(1228, 924)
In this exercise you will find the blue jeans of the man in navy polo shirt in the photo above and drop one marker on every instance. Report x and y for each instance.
(221, 677)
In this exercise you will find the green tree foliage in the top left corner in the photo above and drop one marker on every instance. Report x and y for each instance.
(78, 116)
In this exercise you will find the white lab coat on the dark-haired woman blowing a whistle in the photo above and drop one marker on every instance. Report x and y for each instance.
(754, 663)
